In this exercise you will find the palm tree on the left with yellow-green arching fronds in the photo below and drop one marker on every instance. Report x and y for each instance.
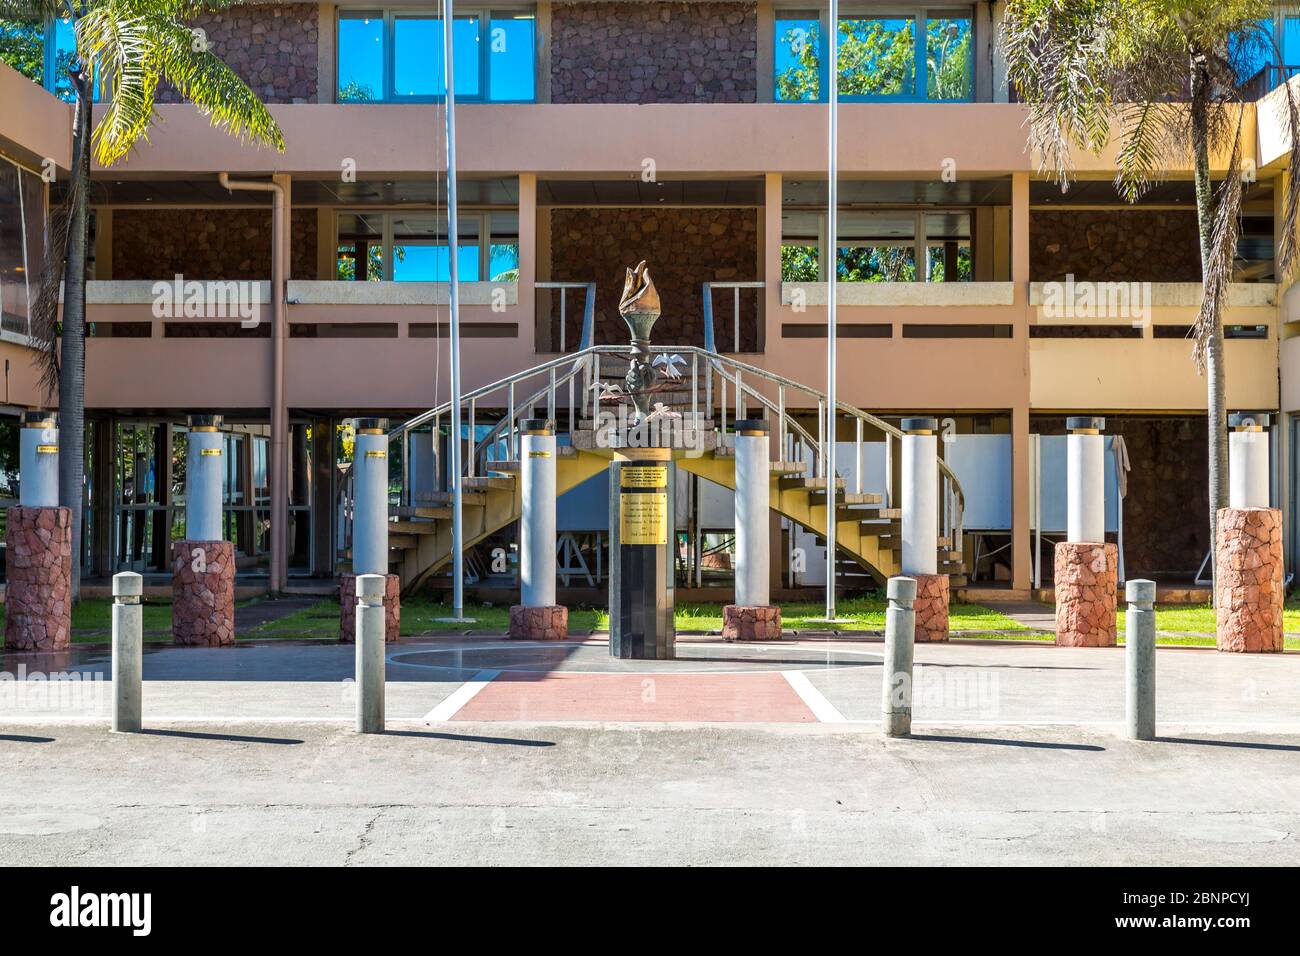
(131, 46)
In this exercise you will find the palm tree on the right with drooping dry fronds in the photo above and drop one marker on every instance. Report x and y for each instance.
(1163, 79)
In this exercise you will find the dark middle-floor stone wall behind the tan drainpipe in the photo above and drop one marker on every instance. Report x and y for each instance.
(207, 244)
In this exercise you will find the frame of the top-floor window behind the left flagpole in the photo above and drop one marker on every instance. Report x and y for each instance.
(391, 15)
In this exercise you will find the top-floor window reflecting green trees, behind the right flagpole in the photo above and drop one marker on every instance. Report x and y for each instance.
(878, 55)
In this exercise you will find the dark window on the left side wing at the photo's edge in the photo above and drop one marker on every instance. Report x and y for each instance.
(23, 226)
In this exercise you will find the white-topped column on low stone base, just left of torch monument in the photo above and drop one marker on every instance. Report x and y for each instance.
(538, 617)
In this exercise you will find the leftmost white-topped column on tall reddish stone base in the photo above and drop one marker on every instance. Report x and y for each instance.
(38, 546)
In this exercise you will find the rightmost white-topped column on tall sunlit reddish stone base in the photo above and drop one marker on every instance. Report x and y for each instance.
(1249, 556)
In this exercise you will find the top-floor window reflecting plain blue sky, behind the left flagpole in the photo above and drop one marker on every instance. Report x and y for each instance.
(397, 57)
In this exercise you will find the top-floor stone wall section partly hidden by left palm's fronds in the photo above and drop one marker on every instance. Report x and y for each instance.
(272, 47)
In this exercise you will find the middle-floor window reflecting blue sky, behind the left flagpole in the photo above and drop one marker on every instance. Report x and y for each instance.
(413, 248)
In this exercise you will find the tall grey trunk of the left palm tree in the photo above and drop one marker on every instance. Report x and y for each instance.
(72, 356)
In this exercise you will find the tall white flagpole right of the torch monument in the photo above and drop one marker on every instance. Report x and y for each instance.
(833, 259)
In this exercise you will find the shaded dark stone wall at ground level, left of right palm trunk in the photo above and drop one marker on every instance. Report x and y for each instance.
(1167, 512)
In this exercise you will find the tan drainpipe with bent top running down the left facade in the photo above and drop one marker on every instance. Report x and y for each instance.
(279, 412)
